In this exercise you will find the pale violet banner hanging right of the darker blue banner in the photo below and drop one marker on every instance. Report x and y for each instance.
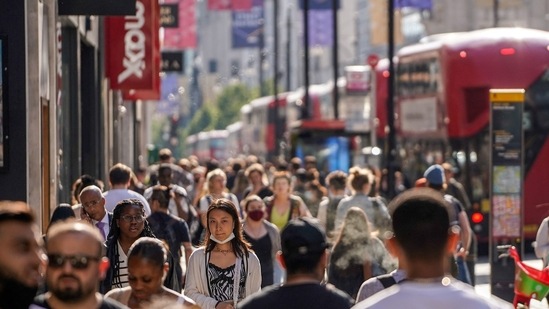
(321, 30)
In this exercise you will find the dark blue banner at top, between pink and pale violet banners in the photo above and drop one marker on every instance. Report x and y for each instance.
(247, 27)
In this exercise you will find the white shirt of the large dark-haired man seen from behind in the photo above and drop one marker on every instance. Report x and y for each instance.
(419, 295)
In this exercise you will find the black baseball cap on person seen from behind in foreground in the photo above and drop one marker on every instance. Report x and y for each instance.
(303, 237)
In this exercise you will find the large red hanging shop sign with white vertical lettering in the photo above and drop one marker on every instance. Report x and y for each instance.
(133, 49)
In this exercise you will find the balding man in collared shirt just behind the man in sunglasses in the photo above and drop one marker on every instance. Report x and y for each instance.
(94, 211)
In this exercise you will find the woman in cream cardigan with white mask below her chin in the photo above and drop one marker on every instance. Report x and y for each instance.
(224, 270)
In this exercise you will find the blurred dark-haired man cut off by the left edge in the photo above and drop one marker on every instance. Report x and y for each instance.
(20, 256)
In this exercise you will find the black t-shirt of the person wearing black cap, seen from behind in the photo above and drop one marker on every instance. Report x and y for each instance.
(309, 295)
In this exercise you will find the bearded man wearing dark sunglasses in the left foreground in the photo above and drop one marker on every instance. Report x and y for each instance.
(75, 267)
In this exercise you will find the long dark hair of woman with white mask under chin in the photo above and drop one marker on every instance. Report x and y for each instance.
(241, 247)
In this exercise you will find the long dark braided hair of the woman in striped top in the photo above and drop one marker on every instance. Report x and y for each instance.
(113, 273)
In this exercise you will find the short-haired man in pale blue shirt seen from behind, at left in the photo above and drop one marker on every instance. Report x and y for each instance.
(119, 180)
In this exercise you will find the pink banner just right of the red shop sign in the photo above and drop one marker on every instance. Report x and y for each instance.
(183, 36)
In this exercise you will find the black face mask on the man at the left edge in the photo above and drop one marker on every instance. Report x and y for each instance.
(14, 294)
